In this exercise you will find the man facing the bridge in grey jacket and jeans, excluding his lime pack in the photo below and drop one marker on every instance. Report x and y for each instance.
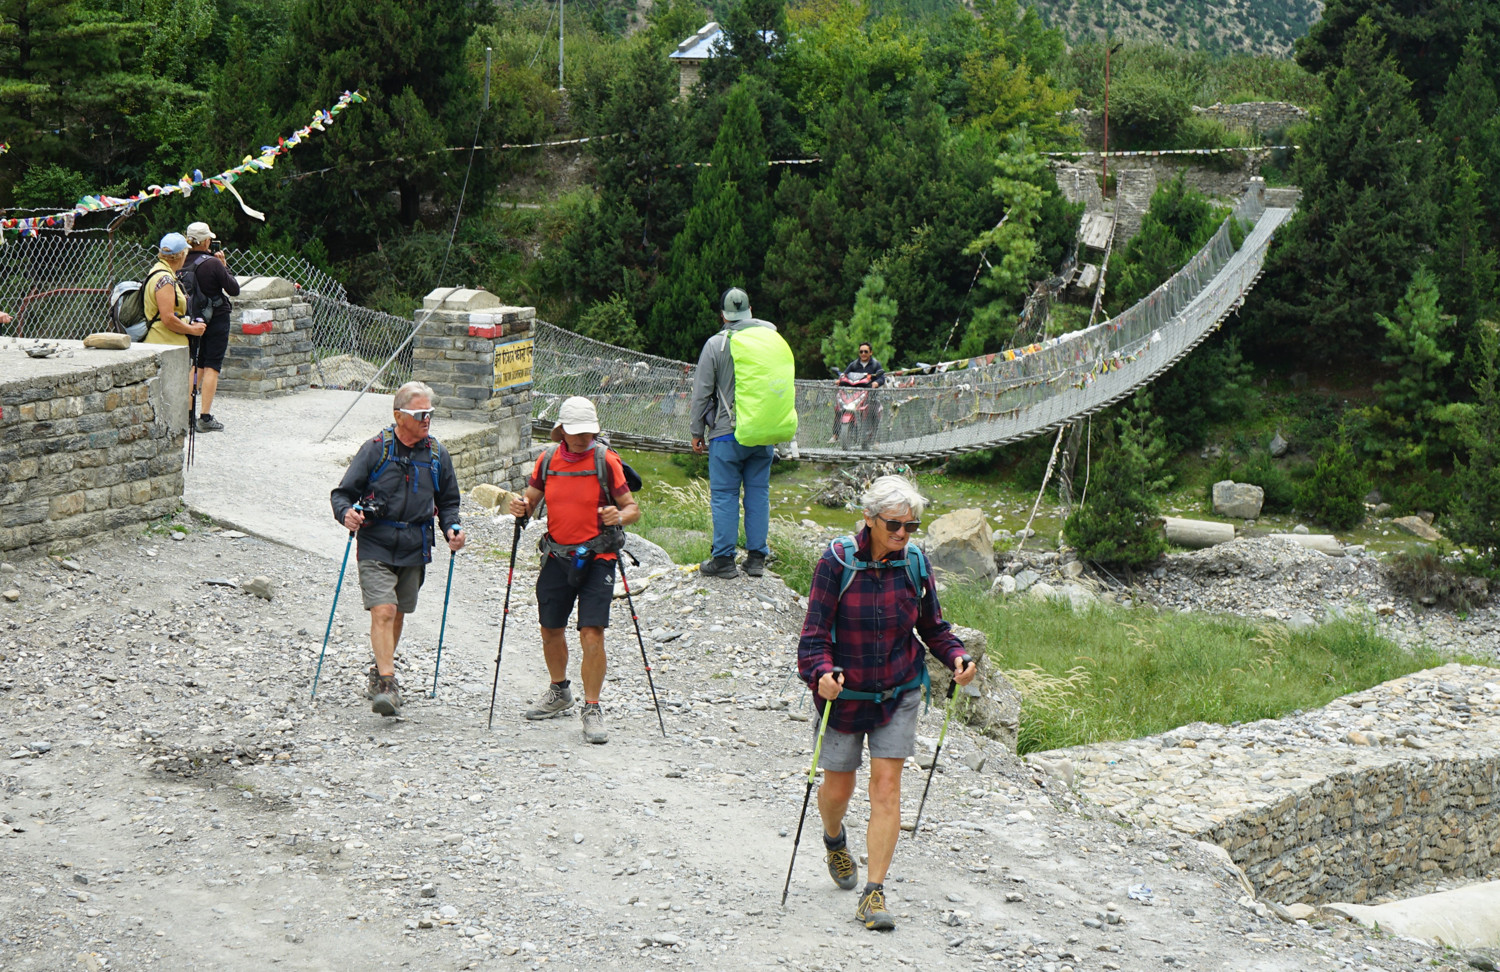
(731, 466)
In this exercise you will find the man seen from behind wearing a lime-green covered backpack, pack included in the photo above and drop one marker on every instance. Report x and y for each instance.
(742, 433)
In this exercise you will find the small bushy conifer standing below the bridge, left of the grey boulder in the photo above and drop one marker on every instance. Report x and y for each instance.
(1120, 523)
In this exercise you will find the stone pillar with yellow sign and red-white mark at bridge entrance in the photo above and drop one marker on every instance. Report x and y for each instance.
(476, 355)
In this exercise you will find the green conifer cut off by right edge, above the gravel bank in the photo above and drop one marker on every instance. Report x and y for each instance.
(1475, 520)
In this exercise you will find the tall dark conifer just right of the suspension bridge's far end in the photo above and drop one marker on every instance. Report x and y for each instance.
(1366, 211)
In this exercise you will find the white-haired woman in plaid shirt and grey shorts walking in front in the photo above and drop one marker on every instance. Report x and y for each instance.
(877, 622)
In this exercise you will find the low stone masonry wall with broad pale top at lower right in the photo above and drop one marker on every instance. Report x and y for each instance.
(1375, 793)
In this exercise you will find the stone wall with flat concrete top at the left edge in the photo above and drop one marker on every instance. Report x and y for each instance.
(91, 443)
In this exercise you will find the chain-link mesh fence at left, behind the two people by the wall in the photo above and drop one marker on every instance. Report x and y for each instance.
(58, 287)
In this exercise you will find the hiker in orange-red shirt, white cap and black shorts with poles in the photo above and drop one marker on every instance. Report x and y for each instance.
(587, 515)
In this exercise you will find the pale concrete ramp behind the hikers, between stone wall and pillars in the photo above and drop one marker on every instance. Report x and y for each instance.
(268, 475)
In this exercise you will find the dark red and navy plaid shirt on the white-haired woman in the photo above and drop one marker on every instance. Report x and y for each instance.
(878, 620)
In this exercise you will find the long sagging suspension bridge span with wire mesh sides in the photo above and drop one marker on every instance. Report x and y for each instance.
(643, 400)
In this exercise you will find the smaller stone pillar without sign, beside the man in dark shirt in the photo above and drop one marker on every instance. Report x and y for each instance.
(271, 341)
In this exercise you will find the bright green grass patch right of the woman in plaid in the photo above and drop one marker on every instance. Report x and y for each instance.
(1120, 674)
